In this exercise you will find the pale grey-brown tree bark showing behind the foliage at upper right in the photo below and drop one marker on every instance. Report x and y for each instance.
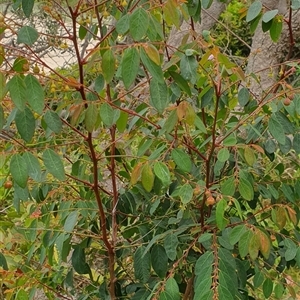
(265, 57)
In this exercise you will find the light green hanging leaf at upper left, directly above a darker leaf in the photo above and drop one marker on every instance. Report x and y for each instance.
(35, 93)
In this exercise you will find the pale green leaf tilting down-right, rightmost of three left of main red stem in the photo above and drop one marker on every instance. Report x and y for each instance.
(54, 164)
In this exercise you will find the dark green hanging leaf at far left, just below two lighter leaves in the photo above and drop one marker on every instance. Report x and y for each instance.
(25, 122)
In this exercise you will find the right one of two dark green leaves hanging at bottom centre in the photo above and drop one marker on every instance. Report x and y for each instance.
(159, 260)
